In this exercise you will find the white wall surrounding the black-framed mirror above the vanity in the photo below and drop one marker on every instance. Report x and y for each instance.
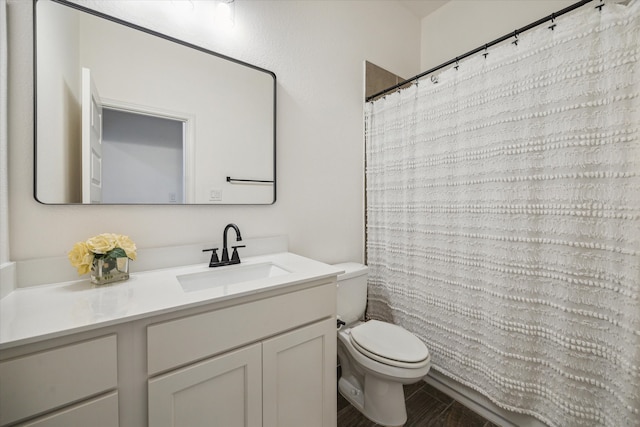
(317, 51)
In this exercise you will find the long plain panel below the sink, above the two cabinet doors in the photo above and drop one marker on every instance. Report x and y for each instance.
(178, 342)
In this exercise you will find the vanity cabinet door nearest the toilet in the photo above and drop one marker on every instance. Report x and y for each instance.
(299, 379)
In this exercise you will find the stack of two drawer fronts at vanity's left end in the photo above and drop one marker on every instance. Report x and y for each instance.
(80, 378)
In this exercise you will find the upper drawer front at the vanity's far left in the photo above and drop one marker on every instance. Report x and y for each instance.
(40, 382)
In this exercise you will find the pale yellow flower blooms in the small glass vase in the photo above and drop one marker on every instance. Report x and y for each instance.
(106, 246)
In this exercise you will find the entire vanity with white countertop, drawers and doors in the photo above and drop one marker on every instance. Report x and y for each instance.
(147, 352)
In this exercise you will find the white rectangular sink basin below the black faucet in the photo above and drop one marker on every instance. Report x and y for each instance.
(229, 275)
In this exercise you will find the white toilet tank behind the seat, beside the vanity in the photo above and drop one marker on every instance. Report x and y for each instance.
(352, 291)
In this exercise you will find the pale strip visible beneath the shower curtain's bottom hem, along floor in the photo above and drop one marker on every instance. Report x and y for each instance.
(479, 403)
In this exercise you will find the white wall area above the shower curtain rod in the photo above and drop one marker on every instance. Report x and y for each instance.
(460, 26)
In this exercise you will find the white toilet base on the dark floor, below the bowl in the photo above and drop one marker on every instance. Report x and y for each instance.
(381, 401)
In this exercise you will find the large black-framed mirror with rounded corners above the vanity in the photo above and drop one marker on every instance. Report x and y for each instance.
(125, 115)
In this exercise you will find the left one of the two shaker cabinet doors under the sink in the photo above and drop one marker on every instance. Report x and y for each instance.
(221, 391)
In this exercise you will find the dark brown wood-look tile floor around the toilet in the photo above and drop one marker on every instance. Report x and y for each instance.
(426, 407)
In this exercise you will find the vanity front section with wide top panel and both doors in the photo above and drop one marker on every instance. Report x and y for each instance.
(270, 363)
